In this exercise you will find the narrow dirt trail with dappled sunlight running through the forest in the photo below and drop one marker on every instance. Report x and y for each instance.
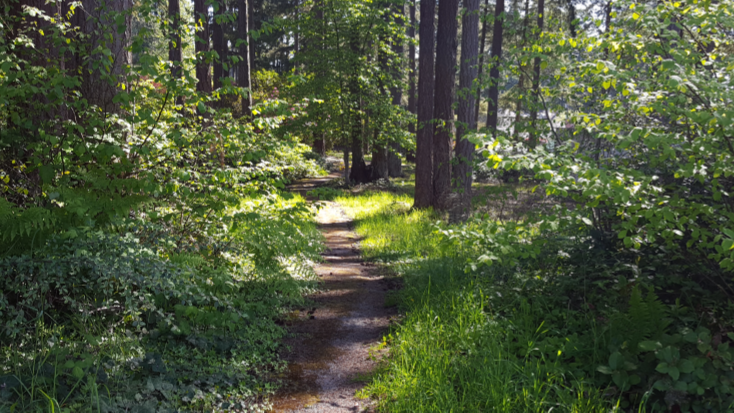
(330, 357)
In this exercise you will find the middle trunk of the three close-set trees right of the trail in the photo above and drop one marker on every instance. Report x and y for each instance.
(443, 99)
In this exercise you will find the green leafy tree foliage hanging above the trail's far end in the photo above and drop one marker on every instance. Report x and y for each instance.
(348, 70)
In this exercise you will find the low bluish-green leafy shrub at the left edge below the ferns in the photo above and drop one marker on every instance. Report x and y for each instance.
(85, 275)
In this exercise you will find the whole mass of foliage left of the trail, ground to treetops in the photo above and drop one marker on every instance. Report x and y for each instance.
(145, 250)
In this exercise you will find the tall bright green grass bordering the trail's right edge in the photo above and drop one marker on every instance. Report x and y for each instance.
(452, 353)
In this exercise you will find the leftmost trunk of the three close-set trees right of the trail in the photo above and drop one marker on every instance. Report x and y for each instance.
(424, 136)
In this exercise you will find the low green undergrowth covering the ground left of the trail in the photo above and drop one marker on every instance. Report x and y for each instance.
(138, 320)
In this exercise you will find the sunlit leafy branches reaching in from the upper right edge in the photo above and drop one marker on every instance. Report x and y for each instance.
(656, 101)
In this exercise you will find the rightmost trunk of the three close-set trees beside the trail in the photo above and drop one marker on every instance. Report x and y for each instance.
(467, 120)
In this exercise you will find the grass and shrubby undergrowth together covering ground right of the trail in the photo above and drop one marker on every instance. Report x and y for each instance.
(501, 317)
